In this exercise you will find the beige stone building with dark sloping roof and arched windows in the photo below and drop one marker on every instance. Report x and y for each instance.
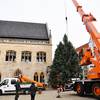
(25, 48)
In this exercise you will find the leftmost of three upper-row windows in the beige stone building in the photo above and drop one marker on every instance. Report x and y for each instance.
(10, 55)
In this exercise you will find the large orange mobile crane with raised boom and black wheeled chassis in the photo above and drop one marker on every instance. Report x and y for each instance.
(92, 83)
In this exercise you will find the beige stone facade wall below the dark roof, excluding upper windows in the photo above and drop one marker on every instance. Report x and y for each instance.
(7, 68)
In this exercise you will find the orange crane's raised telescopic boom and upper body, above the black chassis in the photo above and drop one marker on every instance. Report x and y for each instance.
(95, 36)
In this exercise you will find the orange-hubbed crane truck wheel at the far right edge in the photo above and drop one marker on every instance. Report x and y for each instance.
(96, 90)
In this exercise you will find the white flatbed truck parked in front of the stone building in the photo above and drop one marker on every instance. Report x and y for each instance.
(7, 85)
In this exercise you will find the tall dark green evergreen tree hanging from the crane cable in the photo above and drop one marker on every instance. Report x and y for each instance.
(65, 63)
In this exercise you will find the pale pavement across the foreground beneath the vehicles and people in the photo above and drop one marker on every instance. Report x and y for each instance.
(50, 95)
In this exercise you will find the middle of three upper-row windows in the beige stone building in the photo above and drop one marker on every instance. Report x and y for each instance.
(26, 56)
